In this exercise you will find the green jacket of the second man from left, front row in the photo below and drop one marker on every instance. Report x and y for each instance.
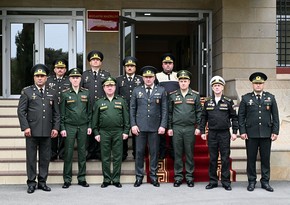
(75, 108)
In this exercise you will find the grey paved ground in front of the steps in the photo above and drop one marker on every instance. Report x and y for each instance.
(147, 195)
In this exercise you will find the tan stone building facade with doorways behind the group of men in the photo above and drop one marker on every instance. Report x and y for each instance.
(208, 37)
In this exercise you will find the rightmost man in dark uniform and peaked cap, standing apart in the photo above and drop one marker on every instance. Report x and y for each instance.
(259, 126)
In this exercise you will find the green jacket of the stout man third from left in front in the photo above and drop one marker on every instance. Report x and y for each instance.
(111, 115)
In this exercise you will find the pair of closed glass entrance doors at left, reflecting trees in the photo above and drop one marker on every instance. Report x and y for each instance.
(33, 42)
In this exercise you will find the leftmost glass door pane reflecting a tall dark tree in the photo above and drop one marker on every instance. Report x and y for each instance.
(23, 54)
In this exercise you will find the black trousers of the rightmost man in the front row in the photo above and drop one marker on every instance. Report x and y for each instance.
(264, 147)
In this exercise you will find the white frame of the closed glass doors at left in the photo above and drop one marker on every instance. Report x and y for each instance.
(33, 16)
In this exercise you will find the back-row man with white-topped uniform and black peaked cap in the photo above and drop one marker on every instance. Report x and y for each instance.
(168, 79)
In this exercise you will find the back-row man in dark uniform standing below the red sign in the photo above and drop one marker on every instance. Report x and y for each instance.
(92, 80)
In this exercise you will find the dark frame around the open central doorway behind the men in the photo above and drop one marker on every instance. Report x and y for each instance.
(174, 15)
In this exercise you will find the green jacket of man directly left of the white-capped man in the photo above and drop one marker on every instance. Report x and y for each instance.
(184, 111)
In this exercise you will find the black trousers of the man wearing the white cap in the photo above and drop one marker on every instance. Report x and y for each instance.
(219, 142)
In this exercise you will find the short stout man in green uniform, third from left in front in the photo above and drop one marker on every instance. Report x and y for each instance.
(111, 126)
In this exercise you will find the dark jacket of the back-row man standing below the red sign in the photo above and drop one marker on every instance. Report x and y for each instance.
(94, 85)
